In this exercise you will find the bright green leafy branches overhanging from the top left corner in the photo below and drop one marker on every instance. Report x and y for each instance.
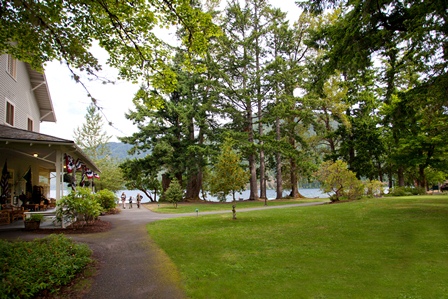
(40, 31)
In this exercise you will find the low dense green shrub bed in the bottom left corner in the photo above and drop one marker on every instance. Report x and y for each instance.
(28, 268)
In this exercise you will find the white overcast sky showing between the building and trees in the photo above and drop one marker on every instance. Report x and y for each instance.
(70, 100)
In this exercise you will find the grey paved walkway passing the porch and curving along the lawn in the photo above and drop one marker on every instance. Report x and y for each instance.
(131, 265)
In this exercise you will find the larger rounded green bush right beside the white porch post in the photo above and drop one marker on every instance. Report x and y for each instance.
(79, 205)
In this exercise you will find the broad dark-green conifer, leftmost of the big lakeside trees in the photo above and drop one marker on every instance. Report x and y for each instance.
(177, 133)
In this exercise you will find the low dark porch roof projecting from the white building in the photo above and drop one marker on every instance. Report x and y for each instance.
(22, 142)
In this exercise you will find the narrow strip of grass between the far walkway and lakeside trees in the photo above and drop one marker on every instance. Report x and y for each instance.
(168, 208)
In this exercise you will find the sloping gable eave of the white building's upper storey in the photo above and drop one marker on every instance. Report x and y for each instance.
(40, 88)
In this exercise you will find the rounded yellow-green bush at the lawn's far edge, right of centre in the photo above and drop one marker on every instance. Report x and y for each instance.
(337, 178)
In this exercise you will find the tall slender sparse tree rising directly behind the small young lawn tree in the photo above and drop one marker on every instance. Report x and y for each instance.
(237, 73)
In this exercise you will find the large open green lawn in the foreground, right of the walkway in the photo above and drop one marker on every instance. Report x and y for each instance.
(376, 248)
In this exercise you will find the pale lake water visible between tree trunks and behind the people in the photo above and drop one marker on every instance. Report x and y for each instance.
(271, 194)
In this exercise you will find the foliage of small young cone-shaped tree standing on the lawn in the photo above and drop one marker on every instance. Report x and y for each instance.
(228, 177)
